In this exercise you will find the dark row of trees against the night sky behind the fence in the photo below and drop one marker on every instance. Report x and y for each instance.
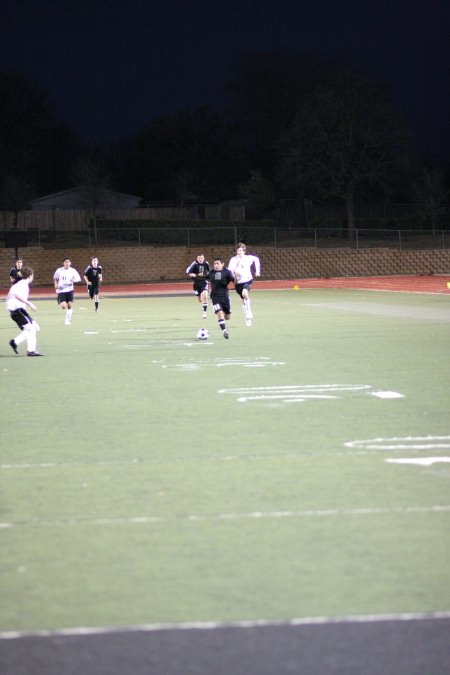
(296, 127)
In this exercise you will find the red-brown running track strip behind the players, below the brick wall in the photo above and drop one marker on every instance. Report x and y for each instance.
(407, 284)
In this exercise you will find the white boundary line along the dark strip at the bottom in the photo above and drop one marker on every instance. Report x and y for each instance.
(215, 625)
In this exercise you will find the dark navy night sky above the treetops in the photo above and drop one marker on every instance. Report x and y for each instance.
(111, 66)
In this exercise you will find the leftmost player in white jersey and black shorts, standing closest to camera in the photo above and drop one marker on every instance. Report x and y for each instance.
(17, 303)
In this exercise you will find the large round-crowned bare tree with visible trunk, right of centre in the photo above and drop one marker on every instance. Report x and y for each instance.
(345, 140)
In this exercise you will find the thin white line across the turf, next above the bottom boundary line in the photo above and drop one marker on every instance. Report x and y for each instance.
(253, 515)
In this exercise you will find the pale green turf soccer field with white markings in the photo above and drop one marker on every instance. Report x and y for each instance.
(149, 478)
